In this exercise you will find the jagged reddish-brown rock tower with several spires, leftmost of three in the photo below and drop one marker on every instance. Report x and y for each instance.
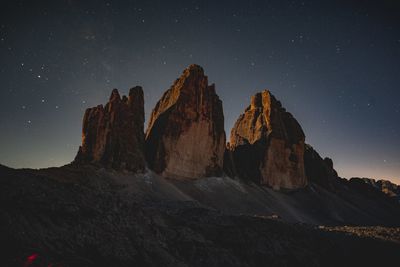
(113, 135)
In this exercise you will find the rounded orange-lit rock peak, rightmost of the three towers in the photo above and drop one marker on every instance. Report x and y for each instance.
(267, 145)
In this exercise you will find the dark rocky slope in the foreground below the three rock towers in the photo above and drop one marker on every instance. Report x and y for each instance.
(85, 216)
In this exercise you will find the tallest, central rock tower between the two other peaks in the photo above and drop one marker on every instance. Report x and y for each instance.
(185, 137)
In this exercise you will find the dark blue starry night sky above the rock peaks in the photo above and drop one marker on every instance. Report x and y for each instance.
(335, 65)
